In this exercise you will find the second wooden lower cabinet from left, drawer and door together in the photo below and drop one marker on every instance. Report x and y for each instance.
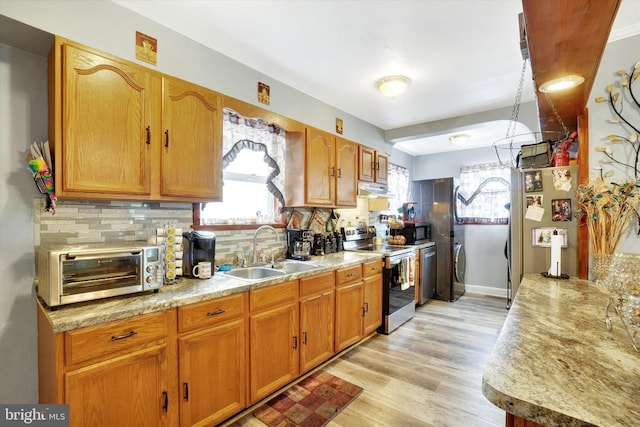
(213, 363)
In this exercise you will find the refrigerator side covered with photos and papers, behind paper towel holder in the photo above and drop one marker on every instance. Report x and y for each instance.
(554, 191)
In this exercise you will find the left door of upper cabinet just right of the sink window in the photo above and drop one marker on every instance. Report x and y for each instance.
(320, 168)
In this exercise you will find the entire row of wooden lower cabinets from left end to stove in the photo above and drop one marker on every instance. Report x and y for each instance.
(199, 364)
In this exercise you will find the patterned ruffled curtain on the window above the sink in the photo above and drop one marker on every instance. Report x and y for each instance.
(240, 133)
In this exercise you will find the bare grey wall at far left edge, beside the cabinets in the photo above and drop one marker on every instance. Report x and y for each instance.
(23, 119)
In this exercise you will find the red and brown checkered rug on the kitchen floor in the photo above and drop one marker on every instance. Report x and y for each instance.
(313, 402)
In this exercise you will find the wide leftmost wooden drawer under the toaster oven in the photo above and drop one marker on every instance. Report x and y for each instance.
(114, 338)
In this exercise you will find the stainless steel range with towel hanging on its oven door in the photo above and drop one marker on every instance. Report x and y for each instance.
(397, 297)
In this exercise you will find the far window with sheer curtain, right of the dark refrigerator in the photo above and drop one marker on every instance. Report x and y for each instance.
(485, 191)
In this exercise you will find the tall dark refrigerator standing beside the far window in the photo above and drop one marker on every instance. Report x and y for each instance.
(435, 204)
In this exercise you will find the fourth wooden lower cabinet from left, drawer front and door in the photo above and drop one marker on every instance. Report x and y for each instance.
(317, 300)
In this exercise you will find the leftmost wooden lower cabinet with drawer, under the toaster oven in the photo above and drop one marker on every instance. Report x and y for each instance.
(118, 373)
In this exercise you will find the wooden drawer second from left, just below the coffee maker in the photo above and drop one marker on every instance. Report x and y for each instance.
(209, 313)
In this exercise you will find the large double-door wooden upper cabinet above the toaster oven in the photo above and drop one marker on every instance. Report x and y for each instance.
(108, 126)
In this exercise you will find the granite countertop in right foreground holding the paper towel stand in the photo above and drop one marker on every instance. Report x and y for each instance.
(556, 363)
